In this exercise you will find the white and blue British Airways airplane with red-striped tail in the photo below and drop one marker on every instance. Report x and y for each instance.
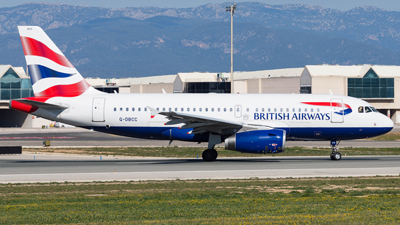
(251, 123)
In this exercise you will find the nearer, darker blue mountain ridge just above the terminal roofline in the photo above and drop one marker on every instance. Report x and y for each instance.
(125, 47)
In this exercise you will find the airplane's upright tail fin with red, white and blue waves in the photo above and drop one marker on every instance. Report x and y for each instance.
(52, 75)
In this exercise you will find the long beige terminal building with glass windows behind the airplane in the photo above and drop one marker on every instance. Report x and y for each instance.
(375, 84)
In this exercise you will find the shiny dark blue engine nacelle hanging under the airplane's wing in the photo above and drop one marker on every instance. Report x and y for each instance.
(257, 141)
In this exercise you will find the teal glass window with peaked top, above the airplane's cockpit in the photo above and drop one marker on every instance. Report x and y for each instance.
(370, 86)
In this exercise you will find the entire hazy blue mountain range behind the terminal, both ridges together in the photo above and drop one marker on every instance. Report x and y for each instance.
(147, 41)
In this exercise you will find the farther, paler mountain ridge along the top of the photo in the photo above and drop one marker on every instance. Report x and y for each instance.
(366, 24)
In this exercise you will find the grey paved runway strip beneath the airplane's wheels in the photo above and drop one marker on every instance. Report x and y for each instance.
(28, 168)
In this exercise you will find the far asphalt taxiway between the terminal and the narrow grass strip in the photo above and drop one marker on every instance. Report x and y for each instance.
(76, 137)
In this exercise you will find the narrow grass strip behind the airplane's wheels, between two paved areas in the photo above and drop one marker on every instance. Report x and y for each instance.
(194, 152)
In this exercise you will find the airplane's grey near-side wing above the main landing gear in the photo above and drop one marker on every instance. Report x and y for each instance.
(200, 124)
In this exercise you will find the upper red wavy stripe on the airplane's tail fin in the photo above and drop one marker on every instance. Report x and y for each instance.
(36, 48)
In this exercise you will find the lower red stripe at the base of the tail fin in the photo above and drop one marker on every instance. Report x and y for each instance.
(68, 90)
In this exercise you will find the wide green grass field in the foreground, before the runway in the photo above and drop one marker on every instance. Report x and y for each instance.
(371, 200)
